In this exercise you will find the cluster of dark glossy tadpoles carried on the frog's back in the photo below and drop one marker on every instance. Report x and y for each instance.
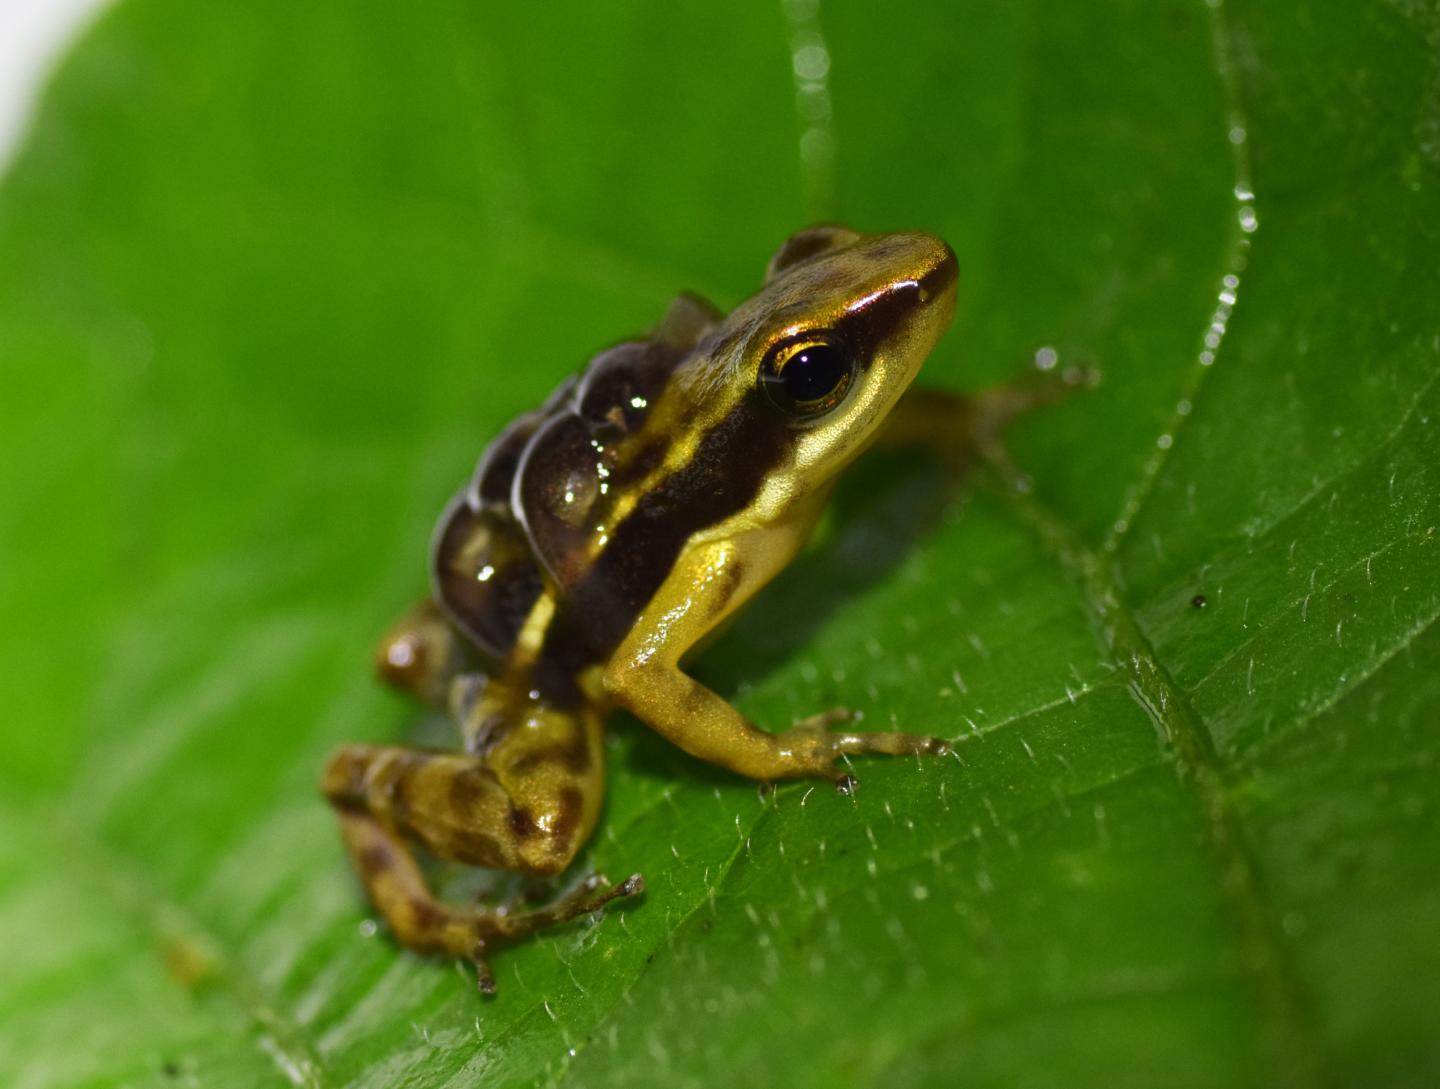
(532, 518)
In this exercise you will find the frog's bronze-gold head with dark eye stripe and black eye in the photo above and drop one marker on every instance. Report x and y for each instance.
(823, 354)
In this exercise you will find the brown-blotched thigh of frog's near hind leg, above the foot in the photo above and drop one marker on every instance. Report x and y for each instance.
(526, 809)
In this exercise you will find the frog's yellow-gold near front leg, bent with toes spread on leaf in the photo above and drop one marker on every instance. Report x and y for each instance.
(644, 676)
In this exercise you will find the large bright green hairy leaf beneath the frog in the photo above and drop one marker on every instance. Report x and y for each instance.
(274, 273)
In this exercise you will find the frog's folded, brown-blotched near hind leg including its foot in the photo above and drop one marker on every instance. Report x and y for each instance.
(526, 802)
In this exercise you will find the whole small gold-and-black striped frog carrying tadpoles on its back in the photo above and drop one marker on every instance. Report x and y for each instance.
(604, 538)
